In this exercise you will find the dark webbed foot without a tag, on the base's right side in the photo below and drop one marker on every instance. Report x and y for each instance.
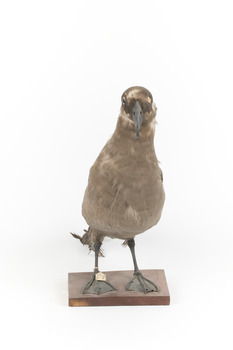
(141, 284)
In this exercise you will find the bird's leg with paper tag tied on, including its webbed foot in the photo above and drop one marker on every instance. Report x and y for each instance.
(95, 286)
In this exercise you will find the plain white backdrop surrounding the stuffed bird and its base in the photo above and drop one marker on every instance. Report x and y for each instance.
(64, 66)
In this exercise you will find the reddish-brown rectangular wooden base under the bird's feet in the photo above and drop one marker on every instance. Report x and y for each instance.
(119, 279)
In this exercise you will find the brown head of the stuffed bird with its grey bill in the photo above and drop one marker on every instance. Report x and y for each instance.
(138, 109)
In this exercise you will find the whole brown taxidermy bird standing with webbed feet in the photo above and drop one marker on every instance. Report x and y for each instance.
(124, 196)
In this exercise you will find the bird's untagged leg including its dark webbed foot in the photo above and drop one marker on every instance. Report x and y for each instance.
(139, 283)
